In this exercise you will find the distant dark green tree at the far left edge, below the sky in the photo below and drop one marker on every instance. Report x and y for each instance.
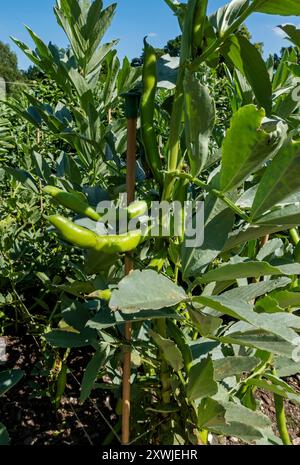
(9, 67)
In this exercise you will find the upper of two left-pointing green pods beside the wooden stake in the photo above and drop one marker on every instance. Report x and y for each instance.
(72, 201)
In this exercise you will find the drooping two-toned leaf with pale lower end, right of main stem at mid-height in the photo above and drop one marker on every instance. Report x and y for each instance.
(218, 224)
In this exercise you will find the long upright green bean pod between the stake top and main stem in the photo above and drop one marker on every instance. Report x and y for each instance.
(147, 111)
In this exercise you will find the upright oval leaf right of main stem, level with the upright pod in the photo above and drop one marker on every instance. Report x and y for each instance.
(200, 114)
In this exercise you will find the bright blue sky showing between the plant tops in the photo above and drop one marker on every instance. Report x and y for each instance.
(134, 19)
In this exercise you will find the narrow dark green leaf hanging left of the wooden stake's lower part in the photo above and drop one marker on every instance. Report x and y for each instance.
(91, 372)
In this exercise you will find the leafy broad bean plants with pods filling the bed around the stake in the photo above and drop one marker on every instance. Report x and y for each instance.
(210, 324)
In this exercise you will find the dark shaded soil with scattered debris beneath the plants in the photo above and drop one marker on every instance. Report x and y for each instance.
(31, 418)
